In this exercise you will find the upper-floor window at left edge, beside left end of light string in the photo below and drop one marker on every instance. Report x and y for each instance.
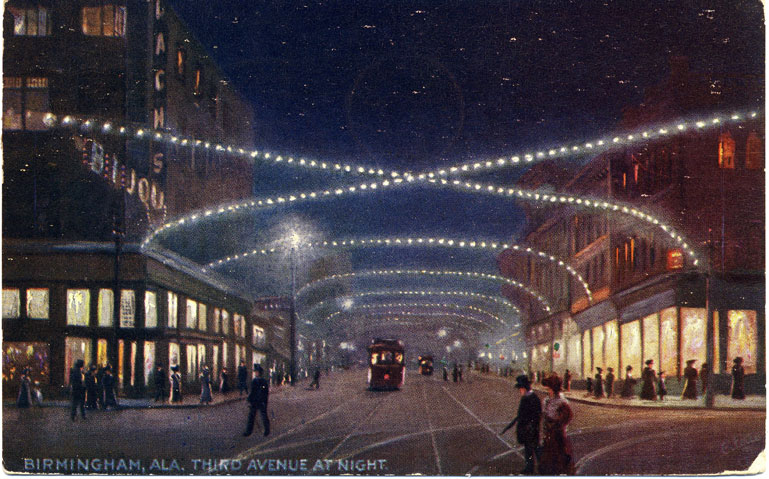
(25, 103)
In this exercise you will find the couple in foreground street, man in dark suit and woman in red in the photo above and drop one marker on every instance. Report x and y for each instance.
(555, 455)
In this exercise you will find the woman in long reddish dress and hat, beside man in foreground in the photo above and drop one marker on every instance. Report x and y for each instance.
(557, 455)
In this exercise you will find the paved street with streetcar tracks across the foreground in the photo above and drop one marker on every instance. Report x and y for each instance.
(429, 427)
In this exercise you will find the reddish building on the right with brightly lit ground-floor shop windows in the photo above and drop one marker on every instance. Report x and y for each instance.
(649, 300)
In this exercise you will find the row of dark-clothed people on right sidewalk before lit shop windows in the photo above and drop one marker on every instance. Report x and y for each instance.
(653, 382)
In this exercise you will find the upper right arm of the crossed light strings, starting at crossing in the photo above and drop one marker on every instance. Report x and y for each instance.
(593, 146)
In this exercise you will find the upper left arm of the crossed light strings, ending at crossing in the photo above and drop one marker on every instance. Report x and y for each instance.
(248, 153)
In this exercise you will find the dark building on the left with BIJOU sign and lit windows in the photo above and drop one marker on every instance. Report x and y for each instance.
(94, 96)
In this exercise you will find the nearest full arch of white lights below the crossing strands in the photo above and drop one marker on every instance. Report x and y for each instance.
(490, 245)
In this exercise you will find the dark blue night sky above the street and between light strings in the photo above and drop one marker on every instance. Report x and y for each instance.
(420, 85)
